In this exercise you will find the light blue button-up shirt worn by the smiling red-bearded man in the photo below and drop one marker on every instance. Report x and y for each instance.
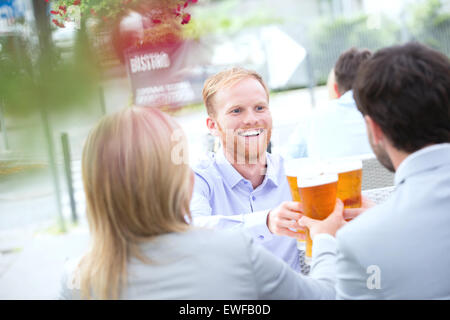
(222, 198)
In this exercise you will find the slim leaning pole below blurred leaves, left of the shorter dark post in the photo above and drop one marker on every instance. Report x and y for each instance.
(53, 168)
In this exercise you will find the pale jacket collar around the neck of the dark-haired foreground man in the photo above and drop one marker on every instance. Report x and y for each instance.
(422, 160)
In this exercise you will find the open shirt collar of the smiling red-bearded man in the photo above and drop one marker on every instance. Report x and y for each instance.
(233, 177)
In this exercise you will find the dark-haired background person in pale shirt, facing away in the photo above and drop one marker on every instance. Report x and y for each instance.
(336, 130)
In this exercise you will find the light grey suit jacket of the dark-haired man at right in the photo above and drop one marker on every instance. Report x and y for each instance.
(401, 249)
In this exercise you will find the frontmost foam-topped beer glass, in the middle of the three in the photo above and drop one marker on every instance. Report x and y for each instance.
(318, 193)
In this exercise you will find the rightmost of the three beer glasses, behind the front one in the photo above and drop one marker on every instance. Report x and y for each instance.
(349, 183)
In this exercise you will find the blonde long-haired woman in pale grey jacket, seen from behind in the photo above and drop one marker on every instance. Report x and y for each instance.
(138, 190)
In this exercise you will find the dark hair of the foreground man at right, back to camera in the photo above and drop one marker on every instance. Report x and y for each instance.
(405, 89)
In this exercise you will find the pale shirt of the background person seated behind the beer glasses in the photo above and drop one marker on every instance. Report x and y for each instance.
(334, 131)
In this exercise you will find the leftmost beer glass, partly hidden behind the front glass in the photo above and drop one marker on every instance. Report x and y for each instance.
(292, 168)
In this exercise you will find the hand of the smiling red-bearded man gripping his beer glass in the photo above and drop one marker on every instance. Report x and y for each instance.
(285, 216)
